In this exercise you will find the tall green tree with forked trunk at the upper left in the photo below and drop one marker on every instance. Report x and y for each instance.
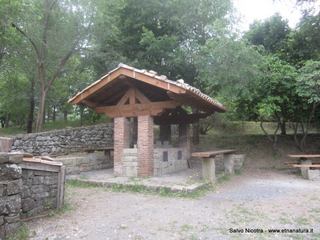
(55, 30)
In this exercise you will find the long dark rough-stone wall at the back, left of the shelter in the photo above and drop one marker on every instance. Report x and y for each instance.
(65, 141)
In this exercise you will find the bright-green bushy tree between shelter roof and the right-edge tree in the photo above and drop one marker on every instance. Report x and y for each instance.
(271, 97)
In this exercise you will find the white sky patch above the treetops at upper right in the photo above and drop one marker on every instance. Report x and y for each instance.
(250, 10)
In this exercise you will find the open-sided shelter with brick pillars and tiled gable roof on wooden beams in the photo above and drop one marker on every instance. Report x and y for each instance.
(144, 106)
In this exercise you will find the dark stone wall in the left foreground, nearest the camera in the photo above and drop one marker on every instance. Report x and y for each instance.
(27, 188)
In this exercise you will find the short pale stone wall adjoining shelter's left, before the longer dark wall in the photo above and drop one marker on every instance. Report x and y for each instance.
(83, 162)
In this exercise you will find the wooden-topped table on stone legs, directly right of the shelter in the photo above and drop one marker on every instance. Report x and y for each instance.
(208, 162)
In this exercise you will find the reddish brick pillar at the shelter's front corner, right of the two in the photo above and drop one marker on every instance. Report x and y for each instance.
(145, 146)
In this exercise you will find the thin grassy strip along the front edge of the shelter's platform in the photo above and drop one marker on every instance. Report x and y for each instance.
(138, 188)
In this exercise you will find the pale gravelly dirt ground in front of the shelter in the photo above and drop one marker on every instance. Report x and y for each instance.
(263, 200)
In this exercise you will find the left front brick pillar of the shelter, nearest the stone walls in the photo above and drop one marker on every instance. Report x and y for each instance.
(121, 141)
